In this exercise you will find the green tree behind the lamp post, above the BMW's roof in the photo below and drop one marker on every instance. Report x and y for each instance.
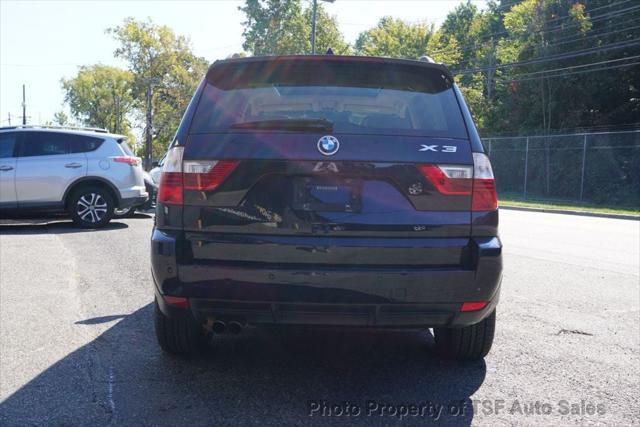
(282, 27)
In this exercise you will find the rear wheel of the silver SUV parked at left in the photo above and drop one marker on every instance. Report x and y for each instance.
(91, 207)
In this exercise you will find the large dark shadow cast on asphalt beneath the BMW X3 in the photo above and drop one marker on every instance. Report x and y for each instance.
(257, 377)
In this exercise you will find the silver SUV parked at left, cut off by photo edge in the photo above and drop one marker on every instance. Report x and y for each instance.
(87, 173)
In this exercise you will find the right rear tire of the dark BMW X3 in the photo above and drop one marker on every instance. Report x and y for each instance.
(467, 343)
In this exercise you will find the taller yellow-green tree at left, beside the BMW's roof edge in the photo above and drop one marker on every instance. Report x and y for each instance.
(165, 74)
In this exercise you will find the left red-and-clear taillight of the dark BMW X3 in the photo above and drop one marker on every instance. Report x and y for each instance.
(190, 175)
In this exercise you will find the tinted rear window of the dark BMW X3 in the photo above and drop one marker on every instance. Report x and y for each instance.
(347, 97)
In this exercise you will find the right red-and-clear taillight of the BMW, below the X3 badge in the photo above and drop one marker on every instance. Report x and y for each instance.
(459, 180)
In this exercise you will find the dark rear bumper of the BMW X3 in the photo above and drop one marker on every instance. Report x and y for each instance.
(315, 295)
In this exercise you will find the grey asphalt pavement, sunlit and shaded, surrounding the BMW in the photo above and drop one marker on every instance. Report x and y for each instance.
(77, 344)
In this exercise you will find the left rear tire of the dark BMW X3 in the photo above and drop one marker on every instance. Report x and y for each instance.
(179, 335)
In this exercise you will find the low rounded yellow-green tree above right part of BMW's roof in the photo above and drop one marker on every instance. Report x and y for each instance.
(395, 38)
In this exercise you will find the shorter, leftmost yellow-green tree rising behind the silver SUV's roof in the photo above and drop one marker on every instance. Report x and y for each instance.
(99, 96)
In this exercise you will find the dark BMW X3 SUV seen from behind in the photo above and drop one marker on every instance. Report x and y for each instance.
(327, 191)
